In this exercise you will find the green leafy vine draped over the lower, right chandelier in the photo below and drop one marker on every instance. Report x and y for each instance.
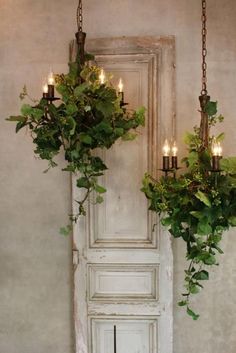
(198, 206)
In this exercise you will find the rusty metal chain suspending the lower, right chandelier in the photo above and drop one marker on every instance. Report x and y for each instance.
(204, 49)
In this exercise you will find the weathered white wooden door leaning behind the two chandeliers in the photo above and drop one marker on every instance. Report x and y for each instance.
(124, 272)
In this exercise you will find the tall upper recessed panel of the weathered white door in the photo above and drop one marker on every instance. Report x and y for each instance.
(123, 219)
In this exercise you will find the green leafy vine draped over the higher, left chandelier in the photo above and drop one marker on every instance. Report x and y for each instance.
(89, 116)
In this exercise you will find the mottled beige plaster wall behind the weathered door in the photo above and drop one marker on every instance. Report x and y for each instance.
(35, 278)
